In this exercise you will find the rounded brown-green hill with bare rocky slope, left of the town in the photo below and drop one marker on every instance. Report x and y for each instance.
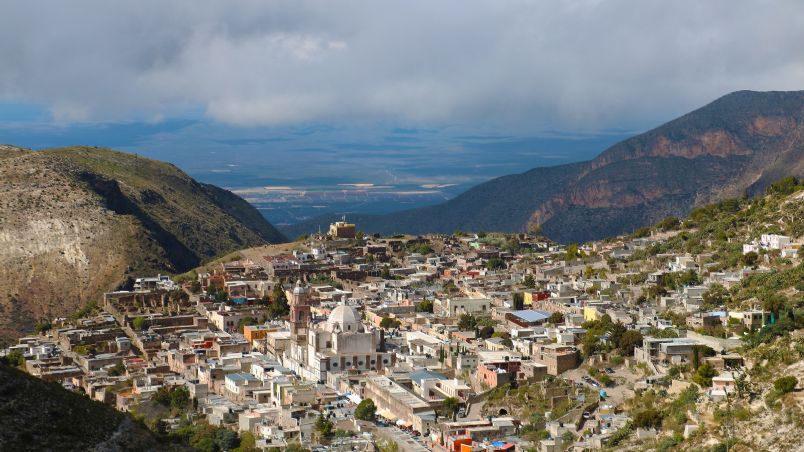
(76, 222)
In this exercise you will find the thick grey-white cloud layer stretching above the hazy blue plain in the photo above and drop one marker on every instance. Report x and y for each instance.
(577, 64)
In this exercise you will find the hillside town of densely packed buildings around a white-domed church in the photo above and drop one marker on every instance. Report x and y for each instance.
(461, 342)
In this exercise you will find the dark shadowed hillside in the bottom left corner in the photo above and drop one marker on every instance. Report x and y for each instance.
(37, 415)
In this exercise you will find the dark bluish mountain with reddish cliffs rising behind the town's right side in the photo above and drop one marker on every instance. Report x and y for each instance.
(733, 146)
